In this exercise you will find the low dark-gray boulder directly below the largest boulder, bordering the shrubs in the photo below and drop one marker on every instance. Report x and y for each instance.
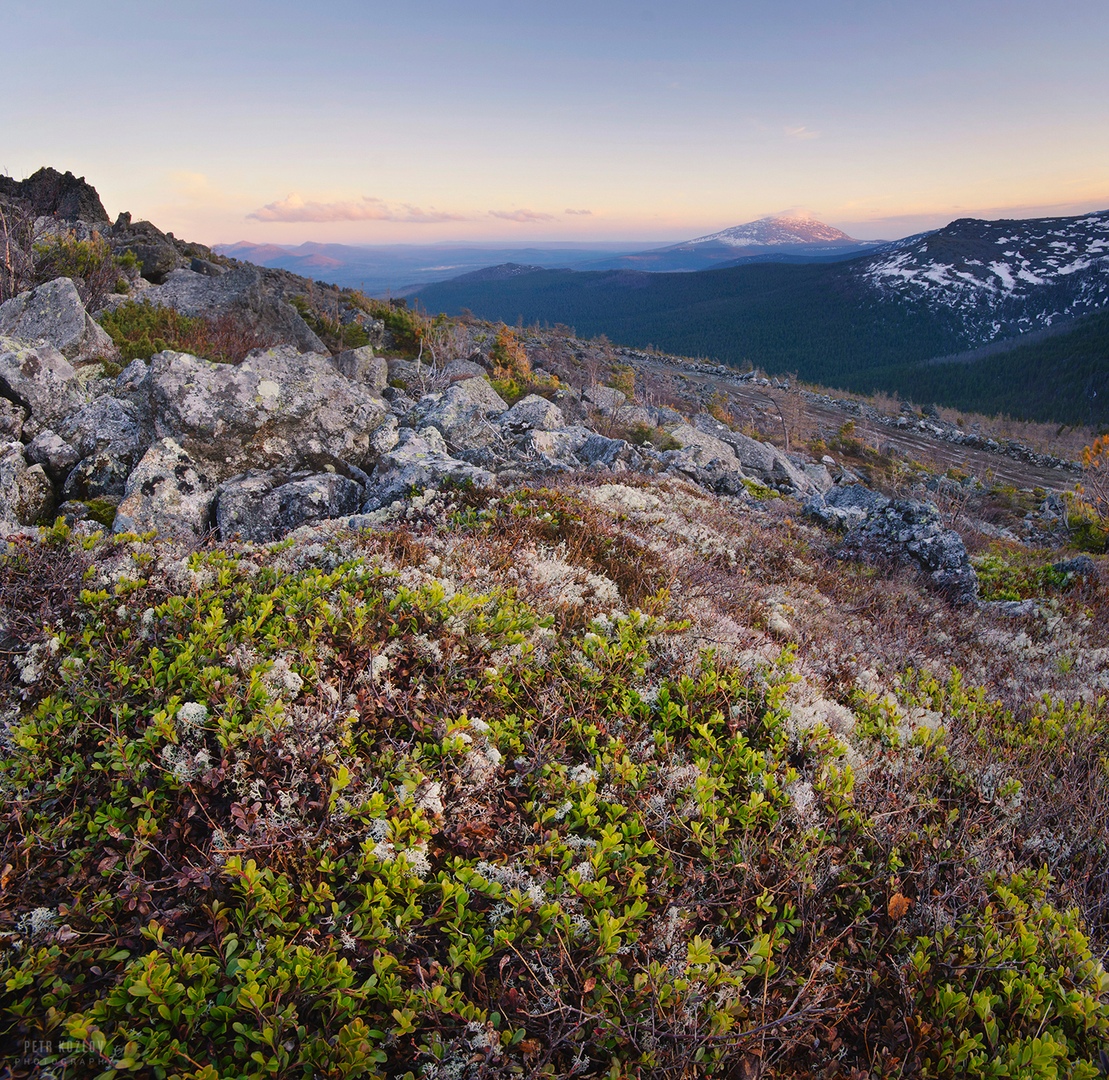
(262, 507)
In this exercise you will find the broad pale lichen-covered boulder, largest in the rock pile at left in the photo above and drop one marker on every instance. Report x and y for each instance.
(278, 409)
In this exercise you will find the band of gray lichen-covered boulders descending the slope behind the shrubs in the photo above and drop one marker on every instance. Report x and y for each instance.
(296, 435)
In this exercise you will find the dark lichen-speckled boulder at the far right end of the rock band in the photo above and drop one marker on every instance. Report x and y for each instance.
(907, 532)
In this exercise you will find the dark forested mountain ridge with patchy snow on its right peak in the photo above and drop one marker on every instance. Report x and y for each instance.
(866, 323)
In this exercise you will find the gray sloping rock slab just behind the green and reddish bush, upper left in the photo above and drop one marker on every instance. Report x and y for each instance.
(242, 293)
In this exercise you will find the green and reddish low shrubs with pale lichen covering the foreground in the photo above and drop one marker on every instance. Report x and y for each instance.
(521, 788)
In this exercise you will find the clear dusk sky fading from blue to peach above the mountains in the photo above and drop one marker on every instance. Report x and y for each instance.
(431, 121)
